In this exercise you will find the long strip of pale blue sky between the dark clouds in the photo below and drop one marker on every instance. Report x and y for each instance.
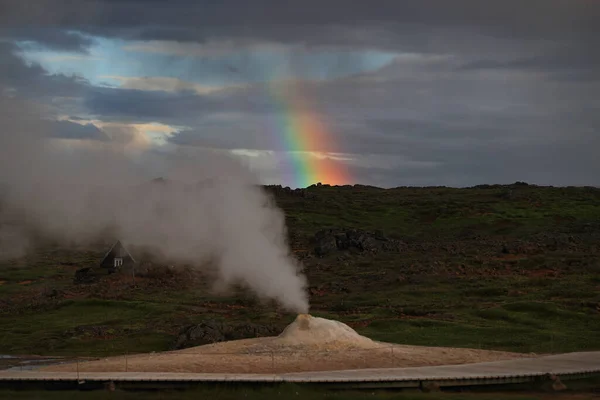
(110, 57)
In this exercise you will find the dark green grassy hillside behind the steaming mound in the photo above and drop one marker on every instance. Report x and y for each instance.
(450, 286)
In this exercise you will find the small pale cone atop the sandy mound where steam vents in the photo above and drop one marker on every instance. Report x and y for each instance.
(314, 331)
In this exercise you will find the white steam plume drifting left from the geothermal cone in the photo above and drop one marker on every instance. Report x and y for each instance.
(211, 207)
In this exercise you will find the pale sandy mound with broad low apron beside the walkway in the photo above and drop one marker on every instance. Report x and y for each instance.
(307, 344)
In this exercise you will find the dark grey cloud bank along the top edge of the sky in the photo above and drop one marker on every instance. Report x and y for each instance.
(557, 36)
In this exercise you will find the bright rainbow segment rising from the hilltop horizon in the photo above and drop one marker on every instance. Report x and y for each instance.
(302, 136)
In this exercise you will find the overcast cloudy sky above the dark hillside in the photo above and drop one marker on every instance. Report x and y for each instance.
(419, 92)
